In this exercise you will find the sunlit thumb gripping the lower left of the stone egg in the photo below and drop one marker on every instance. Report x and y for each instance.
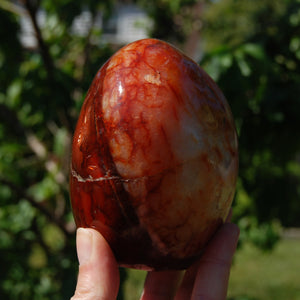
(98, 277)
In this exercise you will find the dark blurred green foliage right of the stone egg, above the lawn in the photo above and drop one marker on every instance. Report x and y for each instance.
(253, 53)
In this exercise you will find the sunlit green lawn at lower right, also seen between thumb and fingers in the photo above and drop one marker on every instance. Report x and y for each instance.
(255, 275)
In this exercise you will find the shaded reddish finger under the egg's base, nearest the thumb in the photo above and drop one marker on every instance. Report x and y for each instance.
(161, 285)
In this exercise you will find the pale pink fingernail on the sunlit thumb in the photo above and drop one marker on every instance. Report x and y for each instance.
(84, 245)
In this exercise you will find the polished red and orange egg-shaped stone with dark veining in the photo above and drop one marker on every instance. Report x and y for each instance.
(154, 158)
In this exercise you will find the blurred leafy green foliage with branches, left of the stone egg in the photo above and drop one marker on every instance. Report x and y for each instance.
(41, 91)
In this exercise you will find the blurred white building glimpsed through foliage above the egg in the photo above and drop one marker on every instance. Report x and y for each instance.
(127, 23)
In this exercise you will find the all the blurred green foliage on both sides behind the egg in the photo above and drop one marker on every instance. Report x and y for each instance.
(251, 48)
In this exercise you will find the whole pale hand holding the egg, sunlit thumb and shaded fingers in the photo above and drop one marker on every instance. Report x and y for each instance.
(207, 279)
